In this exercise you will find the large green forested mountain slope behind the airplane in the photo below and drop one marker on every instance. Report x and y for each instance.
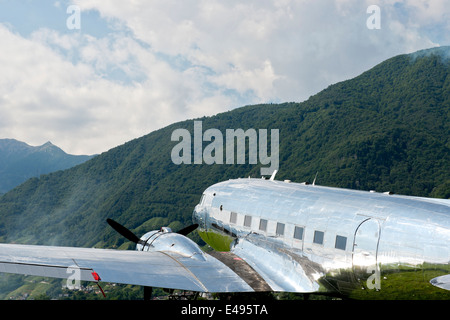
(387, 130)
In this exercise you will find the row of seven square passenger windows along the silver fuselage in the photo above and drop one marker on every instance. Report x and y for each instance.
(340, 243)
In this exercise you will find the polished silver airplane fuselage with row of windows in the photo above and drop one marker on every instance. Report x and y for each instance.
(309, 238)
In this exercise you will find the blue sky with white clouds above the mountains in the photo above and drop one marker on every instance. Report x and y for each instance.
(91, 75)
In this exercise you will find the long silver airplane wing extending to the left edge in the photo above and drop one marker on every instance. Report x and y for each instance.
(154, 269)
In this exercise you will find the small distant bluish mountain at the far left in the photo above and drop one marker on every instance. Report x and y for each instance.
(20, 161)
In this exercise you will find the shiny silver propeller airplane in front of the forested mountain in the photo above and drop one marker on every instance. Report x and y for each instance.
(274, 236)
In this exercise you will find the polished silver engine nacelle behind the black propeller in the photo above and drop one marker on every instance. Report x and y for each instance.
(165, 240)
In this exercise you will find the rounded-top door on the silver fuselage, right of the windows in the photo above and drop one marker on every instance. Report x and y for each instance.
(365, 247)
